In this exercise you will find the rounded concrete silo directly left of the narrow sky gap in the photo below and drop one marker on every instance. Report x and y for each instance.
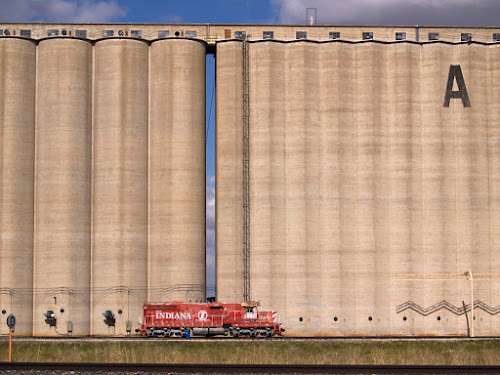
(177, 171)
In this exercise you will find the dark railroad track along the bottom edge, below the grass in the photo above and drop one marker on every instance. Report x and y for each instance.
(251, 369)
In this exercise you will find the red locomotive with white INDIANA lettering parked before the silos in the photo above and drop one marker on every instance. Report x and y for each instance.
(208, 319)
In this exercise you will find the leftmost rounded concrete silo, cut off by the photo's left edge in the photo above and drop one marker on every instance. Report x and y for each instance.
(17, 145)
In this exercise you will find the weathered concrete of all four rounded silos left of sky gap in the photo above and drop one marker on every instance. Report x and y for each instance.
(102, 185)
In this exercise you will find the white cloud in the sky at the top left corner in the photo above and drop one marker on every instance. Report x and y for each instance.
(61, 10)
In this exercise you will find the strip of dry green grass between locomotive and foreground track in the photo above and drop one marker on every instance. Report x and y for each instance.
(467, 352)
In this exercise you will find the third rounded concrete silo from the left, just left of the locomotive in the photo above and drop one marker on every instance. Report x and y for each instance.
(120, 183)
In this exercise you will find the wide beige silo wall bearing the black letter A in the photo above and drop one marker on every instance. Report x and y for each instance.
(369, 198)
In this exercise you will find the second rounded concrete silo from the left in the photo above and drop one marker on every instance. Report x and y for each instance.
(62, 185)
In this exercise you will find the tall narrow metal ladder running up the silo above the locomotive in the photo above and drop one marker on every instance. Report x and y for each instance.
(246, 173)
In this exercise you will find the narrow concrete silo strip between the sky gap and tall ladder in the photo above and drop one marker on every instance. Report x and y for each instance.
(229, 164)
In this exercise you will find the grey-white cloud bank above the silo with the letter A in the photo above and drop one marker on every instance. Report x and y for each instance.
(392, 12)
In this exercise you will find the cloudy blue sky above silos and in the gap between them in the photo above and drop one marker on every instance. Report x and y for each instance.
(389, 12)
